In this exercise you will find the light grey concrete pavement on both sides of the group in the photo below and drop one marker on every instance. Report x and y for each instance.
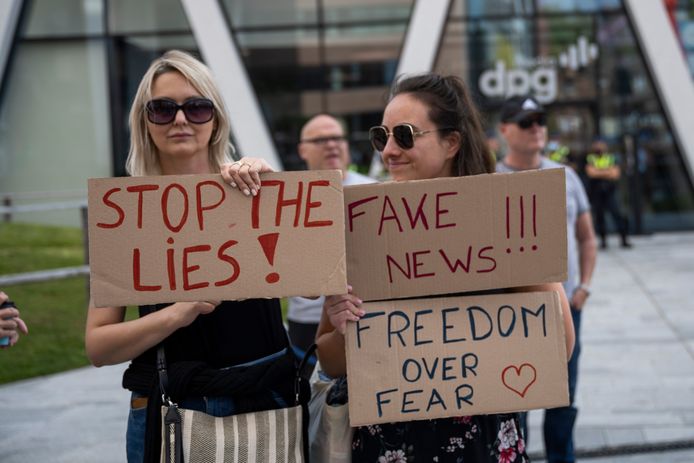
(635, 392)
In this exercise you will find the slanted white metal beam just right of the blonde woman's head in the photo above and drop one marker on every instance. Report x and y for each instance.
(217, 46)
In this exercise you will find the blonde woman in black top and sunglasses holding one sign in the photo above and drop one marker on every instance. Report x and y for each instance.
(179, 125)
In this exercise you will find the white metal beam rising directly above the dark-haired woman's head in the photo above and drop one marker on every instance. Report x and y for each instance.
(424, 33)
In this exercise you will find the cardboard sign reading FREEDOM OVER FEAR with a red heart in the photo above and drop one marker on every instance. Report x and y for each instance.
(431, 358)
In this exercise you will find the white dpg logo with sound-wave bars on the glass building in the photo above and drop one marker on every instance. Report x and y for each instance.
(536, 76)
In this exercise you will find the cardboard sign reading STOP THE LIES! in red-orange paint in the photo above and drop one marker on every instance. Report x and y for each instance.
(191, 238)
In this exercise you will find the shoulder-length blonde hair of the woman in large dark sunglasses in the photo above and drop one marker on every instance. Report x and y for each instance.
(142, 157)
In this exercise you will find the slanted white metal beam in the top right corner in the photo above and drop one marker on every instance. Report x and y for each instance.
(666, 61)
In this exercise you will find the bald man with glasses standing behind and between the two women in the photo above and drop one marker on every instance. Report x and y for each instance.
(323, 145)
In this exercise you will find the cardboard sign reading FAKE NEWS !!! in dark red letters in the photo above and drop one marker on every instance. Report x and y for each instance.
(409, 239)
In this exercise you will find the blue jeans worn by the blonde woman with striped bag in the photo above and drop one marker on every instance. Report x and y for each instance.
(215, 406)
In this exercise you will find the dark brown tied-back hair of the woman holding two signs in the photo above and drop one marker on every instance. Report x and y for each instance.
(450, 105)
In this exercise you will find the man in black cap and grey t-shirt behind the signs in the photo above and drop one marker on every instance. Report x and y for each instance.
(524, 129)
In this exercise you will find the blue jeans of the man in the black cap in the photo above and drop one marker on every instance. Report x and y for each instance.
(559, 423)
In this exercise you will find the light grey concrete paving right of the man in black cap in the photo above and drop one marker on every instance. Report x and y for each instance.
(636, 378)
